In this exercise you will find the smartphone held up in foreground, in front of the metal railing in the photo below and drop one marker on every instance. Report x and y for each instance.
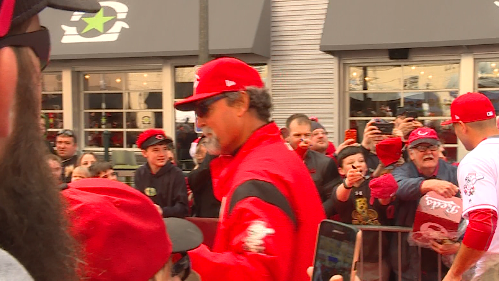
(337, 251)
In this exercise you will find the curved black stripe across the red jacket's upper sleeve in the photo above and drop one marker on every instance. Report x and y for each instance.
(264, 191)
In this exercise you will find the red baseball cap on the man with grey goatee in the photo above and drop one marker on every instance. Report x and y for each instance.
(219, 76)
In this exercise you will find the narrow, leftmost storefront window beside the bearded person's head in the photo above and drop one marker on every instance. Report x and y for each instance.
(52, 103)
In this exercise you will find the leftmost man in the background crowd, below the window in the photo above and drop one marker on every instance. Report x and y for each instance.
(66, 145)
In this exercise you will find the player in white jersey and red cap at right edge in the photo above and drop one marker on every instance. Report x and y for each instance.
(473, 119)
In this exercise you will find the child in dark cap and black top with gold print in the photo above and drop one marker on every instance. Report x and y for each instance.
(351, 200)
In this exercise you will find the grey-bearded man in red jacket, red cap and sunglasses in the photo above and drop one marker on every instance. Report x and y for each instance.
(270, 206)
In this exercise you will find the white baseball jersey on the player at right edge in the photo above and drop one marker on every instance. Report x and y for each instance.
(478, 177)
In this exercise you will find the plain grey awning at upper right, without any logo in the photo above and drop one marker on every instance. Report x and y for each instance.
(391, 24)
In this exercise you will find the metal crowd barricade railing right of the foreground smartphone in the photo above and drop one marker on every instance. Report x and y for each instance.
(398, 231)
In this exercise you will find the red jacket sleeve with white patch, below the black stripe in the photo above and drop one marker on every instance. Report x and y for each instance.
(259, 238)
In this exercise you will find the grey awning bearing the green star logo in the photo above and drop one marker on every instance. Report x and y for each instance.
(137, 28)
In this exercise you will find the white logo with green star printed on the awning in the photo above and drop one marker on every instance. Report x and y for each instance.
(73, 34)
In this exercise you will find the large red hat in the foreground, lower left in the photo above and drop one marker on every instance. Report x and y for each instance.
(122, 233)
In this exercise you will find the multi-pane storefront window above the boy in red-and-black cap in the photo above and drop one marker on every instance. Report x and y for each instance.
(124, 104)
